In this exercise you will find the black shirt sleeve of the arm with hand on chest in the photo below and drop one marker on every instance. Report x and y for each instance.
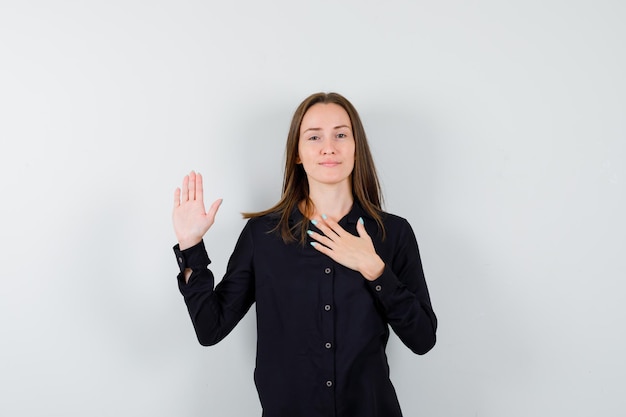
(402, 293)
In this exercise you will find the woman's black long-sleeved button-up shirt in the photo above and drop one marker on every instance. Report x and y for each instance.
(322, 328)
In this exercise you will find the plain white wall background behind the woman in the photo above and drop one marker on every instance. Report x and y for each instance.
(498, 128)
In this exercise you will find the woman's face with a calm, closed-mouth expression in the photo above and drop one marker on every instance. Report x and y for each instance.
(326, 145)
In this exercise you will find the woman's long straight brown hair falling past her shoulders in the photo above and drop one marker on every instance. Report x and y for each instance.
(365, 185)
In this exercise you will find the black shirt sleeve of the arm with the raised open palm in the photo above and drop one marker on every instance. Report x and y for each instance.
(216, 311)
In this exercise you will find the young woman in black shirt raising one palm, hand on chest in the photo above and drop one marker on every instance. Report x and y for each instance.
(328, 269)
